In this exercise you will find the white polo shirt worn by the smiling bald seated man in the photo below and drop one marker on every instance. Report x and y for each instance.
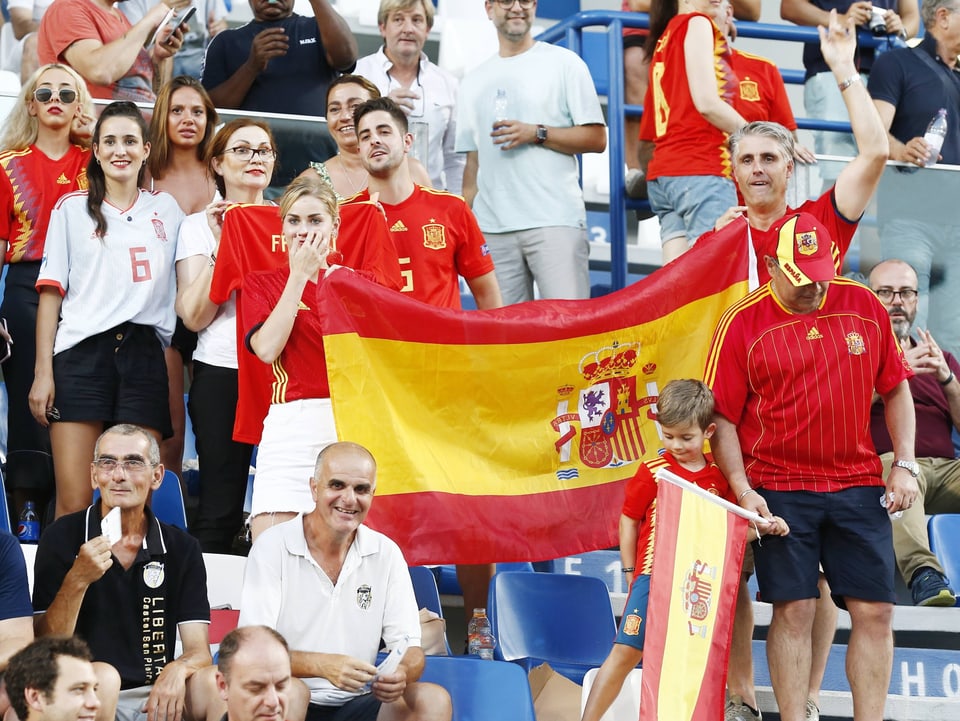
(285, 588)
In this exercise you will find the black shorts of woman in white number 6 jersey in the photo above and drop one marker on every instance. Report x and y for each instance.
(118, 376)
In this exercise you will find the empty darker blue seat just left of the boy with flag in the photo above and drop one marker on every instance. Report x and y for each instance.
(564, 620)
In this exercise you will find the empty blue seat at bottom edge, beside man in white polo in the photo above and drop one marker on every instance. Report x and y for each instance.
(482, 690)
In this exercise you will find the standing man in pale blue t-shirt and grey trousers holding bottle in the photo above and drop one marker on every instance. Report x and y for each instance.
(522, 117)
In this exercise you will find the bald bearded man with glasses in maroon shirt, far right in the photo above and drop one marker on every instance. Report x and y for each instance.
(936, 398)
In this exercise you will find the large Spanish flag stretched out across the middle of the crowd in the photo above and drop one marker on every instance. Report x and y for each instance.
(508, 434)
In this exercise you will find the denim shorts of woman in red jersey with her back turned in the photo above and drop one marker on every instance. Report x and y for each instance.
(689, 205)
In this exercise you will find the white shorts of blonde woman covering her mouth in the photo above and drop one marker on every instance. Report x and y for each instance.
(293, 434)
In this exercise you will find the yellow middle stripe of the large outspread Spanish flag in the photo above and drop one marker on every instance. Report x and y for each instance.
(421, 406)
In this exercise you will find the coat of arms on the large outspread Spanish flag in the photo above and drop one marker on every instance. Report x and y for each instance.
(609, 411)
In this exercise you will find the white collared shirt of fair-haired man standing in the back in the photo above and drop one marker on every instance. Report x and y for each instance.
(439, 91)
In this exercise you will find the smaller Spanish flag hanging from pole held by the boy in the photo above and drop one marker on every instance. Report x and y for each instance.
(693, 594)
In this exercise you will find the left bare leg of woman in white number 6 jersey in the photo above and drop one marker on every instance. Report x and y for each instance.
(72, 444)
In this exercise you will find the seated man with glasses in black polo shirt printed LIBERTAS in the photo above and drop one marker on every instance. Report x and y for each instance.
(127, 589)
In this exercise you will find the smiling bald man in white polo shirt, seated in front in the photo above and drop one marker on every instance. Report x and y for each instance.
(333, 588)
